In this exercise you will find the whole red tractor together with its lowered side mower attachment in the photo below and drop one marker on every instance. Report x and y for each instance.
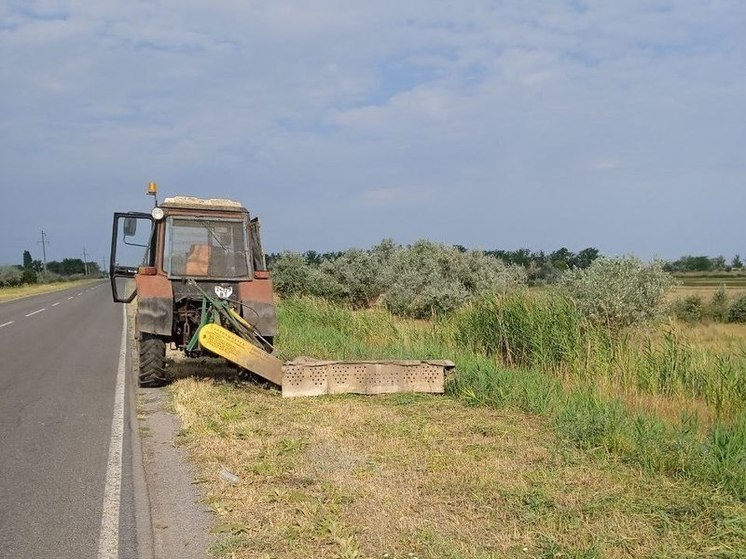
(198, 272)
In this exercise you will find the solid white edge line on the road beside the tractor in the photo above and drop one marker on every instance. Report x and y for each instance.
(108, 540)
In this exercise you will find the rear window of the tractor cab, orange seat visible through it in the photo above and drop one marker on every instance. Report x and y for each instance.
(214, 248)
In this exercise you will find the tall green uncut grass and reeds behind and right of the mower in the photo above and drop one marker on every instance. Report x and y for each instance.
(535, 353)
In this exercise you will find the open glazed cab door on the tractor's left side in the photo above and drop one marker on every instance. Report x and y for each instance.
(132, 246)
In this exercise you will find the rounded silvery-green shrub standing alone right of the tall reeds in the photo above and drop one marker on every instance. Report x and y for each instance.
(619, 292)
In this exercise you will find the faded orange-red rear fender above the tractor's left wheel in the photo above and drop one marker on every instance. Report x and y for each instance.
(155, 305)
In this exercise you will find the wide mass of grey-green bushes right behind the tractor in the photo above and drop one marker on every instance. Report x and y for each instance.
(420, 280)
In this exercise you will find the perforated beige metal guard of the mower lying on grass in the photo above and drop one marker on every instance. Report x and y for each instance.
(313, 378)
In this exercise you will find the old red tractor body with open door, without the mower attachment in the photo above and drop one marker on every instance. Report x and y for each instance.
(172, 258)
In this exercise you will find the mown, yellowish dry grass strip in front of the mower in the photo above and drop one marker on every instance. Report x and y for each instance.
(420, 476)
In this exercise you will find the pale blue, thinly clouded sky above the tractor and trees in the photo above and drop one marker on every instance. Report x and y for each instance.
(489, 124)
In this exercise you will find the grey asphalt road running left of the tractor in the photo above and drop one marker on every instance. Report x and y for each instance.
(59, 356)
